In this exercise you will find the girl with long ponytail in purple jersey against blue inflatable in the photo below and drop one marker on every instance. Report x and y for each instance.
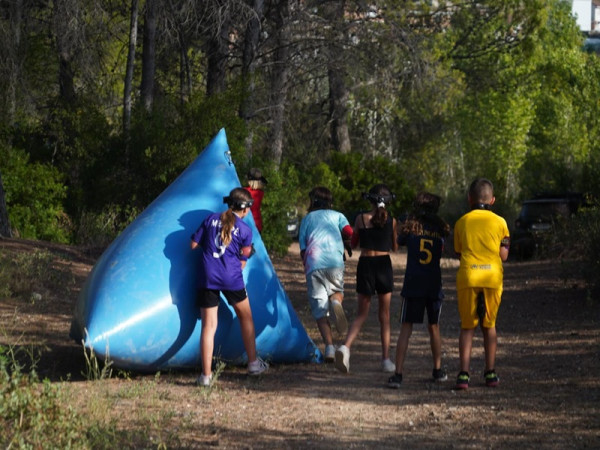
(226, 243)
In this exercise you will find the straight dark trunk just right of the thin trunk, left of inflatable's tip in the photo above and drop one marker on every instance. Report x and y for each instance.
(149, 55)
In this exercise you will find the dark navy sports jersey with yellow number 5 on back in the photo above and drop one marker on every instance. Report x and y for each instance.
(423, 277)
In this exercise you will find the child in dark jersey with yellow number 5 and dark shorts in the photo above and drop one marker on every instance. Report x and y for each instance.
(423, 233)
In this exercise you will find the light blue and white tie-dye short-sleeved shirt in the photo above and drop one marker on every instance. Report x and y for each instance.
(321, 239)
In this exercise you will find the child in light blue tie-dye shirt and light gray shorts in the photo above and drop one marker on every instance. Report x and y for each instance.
(321, 238)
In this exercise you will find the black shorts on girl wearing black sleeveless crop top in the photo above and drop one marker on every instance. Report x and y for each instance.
(374, 275)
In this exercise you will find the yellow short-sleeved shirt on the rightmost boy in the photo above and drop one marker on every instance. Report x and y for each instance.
(477, 237)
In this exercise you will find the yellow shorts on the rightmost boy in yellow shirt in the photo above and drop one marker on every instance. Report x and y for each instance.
(467, 307)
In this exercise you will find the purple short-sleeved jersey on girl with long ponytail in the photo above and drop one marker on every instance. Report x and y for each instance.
(221, 267)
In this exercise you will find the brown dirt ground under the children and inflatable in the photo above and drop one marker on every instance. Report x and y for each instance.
(548, 361)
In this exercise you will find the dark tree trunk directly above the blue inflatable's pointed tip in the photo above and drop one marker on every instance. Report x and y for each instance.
(218, 53)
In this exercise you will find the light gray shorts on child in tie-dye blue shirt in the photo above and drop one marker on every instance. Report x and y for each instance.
(322, 284)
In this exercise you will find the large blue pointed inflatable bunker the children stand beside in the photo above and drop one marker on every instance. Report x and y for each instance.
(137, 307)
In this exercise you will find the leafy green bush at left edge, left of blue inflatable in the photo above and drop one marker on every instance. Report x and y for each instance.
(34, 196)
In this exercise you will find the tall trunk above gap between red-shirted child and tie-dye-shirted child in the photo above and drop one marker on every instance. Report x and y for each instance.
(279, 85)
